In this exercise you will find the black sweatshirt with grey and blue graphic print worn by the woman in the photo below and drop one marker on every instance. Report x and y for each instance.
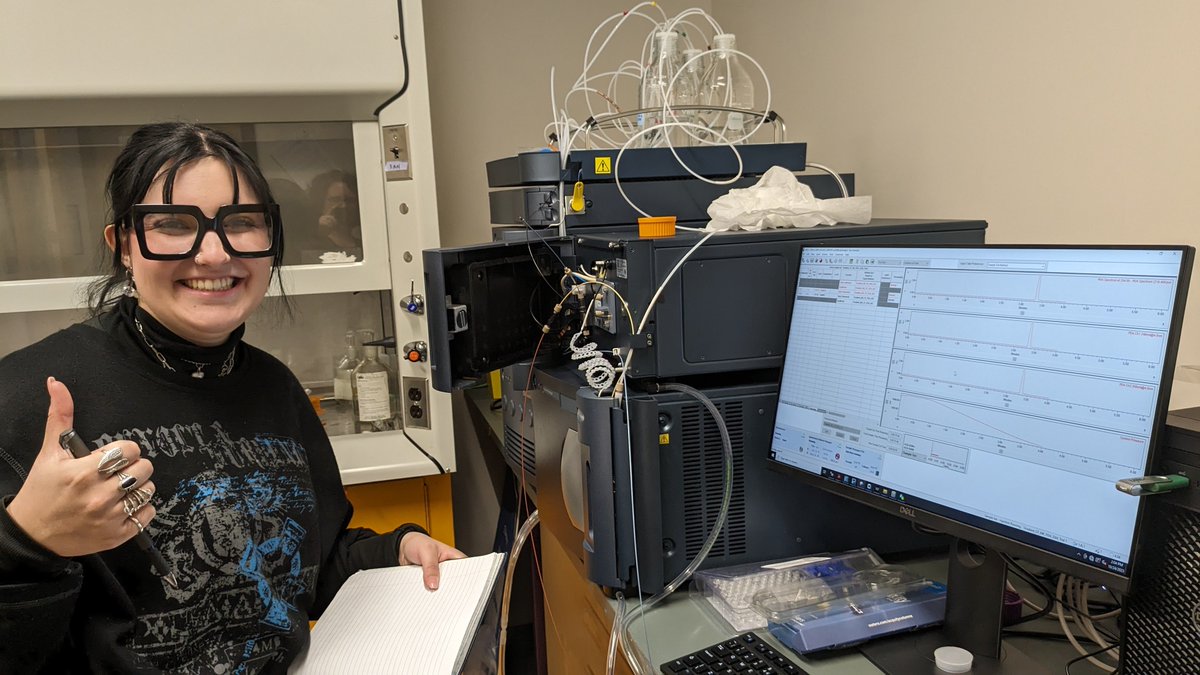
(251, 512)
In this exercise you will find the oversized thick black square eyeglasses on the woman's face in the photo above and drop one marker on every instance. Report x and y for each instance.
(175, 232)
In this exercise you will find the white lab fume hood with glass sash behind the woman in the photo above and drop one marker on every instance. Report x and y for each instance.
(305, 109)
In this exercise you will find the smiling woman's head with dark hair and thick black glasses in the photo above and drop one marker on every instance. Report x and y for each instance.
(181, 189)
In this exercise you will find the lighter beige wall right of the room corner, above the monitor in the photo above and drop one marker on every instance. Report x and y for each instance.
(1067, 122)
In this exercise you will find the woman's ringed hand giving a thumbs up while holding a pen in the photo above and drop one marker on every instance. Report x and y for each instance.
(79, 507)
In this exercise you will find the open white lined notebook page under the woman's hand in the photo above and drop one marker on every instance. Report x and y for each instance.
(386, 620)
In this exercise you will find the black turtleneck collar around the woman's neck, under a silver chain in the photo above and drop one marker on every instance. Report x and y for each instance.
(181, 355)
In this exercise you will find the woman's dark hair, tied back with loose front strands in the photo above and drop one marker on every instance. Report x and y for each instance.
(164, 150)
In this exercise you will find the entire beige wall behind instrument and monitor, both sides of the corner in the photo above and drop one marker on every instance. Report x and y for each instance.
(1069, 122)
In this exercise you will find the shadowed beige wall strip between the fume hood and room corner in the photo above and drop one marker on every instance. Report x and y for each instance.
(490, 87)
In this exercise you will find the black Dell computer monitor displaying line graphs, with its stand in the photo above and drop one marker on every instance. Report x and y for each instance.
(994, 393)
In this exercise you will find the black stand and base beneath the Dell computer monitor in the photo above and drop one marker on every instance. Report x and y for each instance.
(975, 601)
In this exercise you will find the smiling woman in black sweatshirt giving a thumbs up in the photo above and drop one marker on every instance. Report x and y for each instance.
(202, 441)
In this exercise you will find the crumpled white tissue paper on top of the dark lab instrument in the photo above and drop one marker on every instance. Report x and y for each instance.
(779, 200)
